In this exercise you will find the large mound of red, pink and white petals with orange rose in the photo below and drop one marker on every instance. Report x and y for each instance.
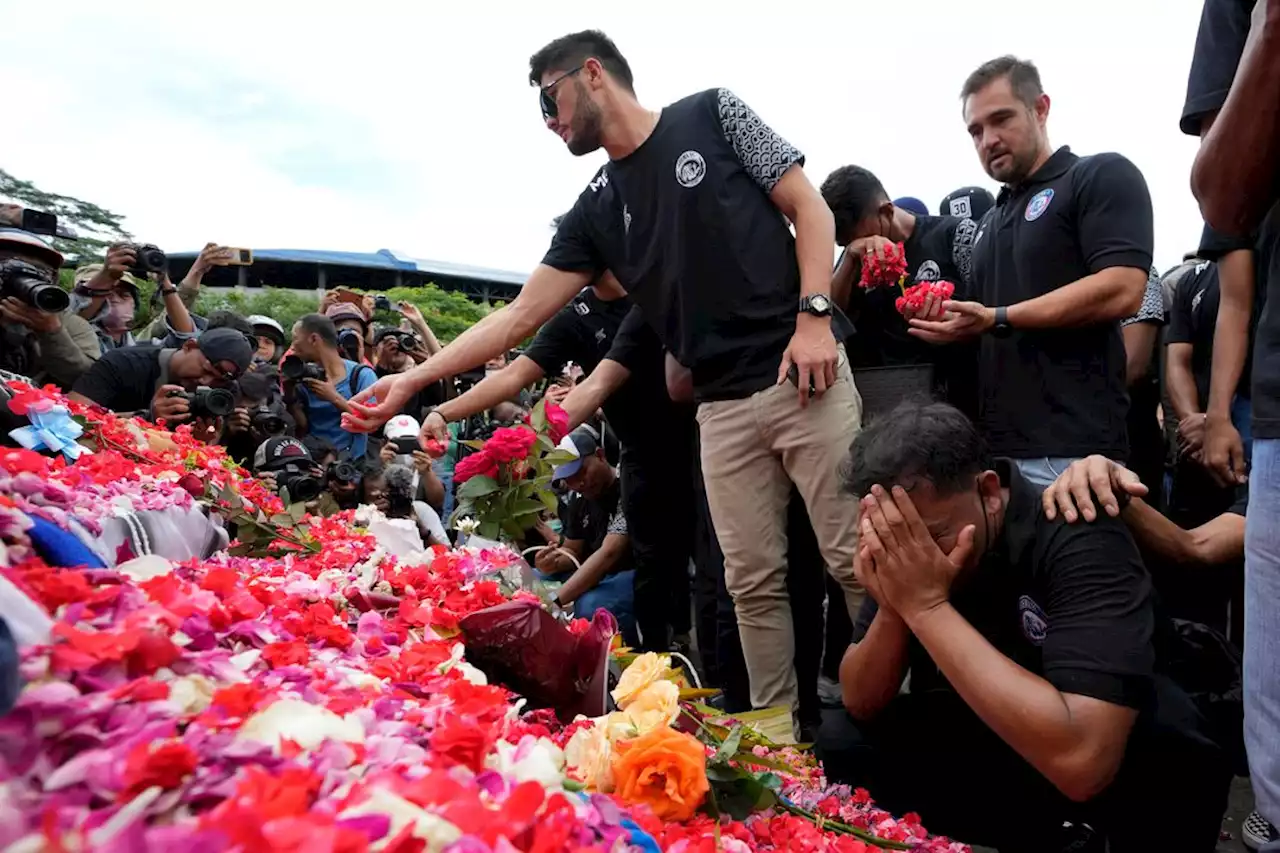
(317, 697)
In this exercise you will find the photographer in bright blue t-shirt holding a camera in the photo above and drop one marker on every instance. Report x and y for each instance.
(319, 382)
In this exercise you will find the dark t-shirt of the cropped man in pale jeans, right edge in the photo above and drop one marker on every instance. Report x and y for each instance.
(1219, 48)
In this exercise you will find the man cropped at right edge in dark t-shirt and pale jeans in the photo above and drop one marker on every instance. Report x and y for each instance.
(1236, 79)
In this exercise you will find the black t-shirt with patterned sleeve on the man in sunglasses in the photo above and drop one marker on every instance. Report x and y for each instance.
(687, 225)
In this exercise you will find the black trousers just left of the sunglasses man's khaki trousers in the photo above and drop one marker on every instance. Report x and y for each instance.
(660, 505)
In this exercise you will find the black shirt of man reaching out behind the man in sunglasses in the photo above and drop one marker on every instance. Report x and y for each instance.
(587, 331)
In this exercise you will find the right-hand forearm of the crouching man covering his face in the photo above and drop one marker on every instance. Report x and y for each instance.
(1025, 710)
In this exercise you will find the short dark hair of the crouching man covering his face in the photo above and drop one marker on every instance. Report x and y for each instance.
(917, 441)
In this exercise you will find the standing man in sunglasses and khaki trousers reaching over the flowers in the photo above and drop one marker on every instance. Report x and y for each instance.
(691, 215)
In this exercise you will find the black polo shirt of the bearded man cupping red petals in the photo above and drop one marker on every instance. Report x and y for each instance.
(1059, 393)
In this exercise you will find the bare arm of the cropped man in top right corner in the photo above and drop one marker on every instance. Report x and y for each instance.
(1236, 171)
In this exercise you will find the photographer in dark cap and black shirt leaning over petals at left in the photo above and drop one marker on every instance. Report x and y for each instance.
(172, 385)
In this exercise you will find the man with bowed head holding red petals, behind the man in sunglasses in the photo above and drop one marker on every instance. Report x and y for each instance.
(938, 250)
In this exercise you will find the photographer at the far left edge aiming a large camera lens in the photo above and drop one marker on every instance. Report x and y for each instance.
(40, 339)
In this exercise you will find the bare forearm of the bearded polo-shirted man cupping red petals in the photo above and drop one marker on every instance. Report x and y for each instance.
(1108, 297)
